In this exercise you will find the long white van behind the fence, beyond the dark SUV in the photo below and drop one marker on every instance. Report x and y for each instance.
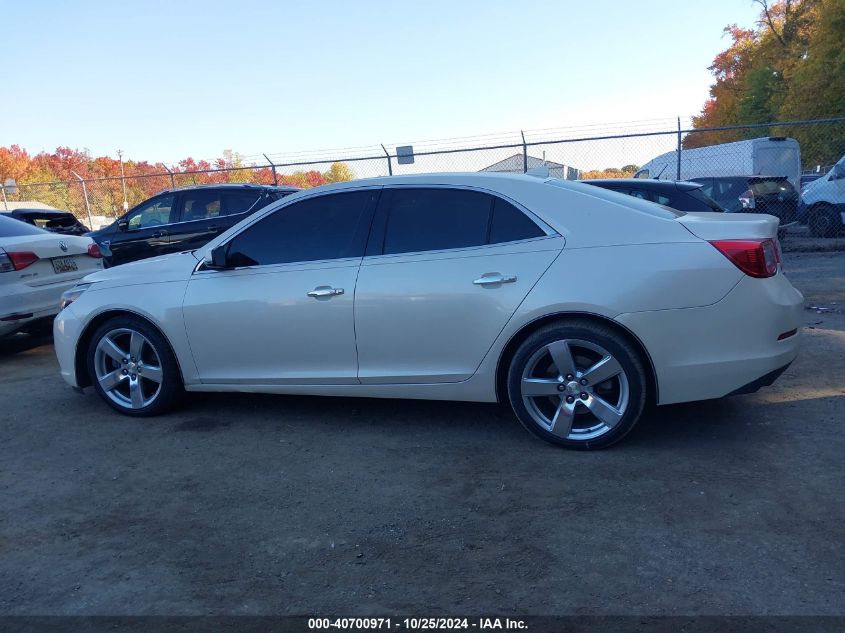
(766, 156)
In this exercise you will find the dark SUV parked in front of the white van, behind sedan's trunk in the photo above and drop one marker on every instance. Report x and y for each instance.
(774, 195)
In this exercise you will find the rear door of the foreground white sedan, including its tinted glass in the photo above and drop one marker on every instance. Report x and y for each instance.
(445, 270)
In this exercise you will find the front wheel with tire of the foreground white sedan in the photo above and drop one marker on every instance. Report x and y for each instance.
(132, 367)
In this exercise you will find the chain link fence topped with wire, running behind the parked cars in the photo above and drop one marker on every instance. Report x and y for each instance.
(729, 161)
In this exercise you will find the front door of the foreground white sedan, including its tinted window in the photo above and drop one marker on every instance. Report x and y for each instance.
(282, 313)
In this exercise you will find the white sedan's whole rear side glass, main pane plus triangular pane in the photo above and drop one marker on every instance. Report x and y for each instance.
(419, 220)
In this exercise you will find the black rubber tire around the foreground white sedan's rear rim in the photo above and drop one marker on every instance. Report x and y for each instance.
(606, 338)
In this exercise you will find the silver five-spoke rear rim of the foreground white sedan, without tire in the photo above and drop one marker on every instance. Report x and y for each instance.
(574, 389)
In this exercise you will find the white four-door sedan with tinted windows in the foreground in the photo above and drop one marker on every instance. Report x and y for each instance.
(574, 304)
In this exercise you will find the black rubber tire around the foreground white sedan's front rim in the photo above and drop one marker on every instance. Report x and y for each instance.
(170, 388)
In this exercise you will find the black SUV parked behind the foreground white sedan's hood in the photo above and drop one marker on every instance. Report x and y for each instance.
(181, 219)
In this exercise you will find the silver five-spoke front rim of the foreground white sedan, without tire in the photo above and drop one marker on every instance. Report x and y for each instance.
(128, 368)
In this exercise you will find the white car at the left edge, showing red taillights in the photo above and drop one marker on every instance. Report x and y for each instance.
(36, 267)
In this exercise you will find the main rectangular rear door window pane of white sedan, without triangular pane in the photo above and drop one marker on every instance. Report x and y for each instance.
(435, 219)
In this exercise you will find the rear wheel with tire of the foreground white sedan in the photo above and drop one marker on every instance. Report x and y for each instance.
(577, 384)
